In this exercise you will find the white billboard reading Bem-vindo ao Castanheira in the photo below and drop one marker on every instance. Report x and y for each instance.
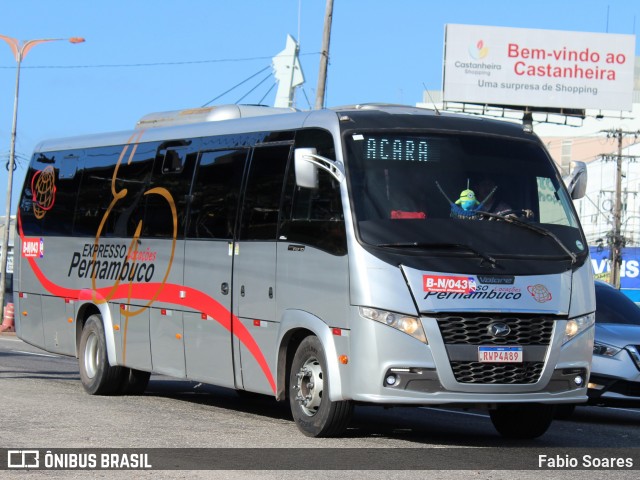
(538, 68)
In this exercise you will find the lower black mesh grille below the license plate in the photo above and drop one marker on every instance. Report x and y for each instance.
(497, 373)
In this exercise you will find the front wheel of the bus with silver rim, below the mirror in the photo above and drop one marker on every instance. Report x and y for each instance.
(314, 414)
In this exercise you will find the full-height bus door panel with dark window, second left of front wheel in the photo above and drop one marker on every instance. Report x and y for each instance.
(209, 264)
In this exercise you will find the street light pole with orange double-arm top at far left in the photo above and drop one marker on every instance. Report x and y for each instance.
(20, 51)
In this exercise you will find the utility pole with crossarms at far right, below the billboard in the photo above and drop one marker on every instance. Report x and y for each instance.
(617, 241)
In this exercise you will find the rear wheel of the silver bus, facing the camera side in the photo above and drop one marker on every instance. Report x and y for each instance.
(98, 377)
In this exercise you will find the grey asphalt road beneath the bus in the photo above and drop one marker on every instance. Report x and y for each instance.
(45, 406)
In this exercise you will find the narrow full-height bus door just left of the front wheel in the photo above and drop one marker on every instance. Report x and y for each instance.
(254, 279)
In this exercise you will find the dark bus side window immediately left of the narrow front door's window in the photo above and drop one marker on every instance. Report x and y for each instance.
(215, 194)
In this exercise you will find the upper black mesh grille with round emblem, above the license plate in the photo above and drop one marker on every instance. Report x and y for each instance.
(475, 330)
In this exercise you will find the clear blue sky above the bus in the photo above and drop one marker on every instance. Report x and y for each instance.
(143, 56)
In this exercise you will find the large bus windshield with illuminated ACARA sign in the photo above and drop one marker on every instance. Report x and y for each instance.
(473, 193)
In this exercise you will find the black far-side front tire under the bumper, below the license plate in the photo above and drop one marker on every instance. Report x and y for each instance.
(522, 421)
